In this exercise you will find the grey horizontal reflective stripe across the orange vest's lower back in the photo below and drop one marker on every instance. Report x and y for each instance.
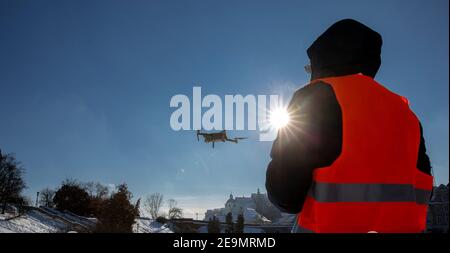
(329, 192)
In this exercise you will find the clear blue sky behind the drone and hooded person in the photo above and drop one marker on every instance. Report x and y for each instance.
(86, 85)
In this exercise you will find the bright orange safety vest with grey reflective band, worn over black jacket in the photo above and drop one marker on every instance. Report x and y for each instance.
(374, 185)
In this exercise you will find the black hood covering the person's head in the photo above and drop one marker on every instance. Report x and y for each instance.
(347, 47)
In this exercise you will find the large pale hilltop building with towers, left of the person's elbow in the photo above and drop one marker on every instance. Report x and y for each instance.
(256, 209)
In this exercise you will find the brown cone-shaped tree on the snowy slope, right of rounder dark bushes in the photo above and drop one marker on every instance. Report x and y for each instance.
(117, 214)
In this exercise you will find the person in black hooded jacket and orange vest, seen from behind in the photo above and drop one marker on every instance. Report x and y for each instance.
(353, 158)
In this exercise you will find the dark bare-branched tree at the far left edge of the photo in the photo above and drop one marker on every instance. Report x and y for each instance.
(11, 181)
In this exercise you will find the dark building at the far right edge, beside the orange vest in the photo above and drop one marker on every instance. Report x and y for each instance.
(437, 218)
